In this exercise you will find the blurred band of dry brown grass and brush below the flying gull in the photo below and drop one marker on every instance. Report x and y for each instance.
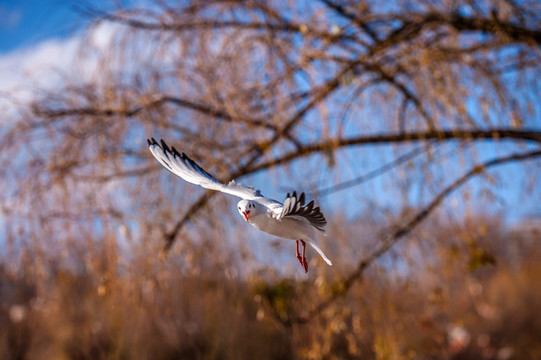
(134, 311)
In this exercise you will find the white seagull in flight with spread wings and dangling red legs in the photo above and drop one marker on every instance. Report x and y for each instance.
(291, 220)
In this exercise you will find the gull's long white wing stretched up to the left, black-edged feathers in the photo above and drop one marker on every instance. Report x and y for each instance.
(181, 165)
